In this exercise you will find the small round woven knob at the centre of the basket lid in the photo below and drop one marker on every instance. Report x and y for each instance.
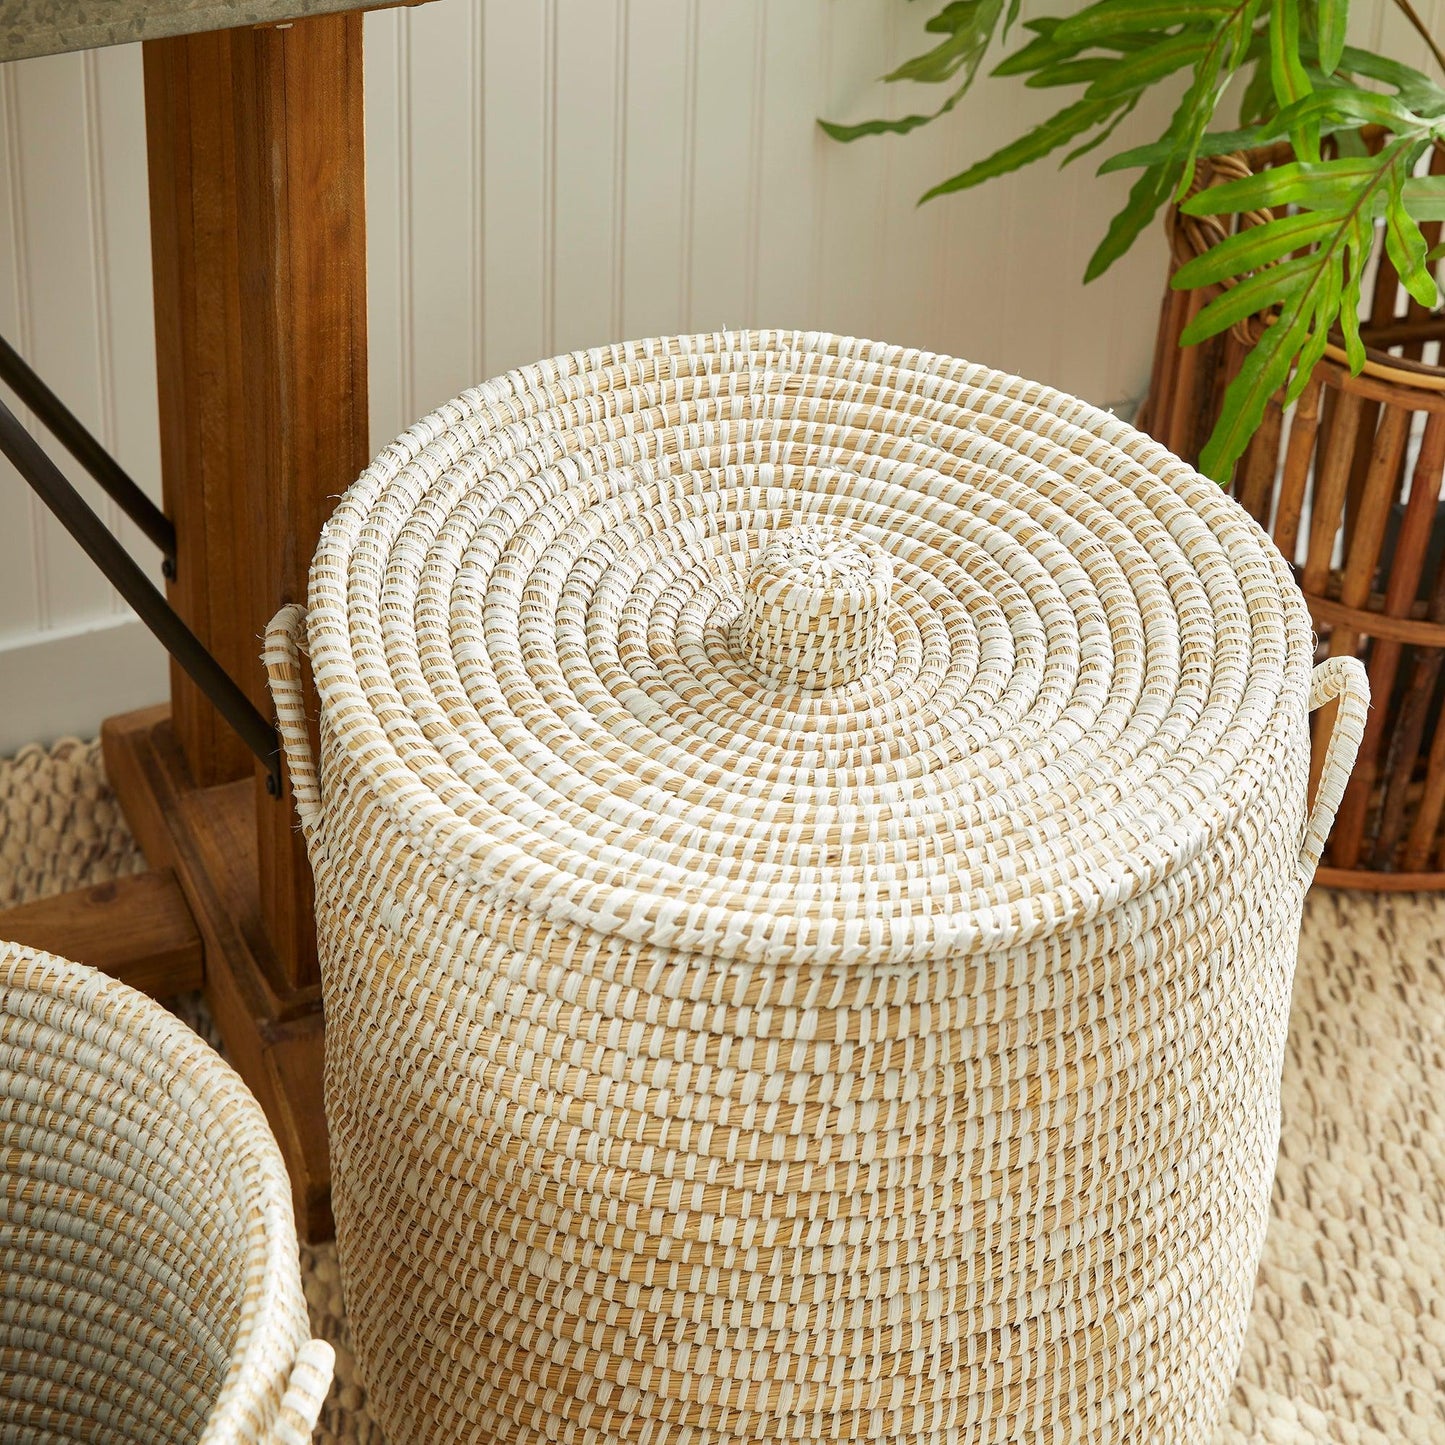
(816, 609)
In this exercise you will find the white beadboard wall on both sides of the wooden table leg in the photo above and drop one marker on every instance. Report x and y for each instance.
(547, 176)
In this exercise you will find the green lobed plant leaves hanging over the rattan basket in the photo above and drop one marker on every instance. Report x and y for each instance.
(1360, 126)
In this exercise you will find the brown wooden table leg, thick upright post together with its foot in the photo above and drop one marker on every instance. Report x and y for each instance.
(259, 252)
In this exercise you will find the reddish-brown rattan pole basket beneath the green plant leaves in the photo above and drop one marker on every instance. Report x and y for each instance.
(1349, 483)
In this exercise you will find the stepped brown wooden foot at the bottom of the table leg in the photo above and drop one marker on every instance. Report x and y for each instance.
(209, 839)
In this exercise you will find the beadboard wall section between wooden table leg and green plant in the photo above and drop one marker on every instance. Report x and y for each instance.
(558, 174)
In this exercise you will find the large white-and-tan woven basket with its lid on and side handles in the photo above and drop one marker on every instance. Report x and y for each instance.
(810, 846)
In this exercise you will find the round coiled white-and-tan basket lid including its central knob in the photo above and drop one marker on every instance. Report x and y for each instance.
(780, 645)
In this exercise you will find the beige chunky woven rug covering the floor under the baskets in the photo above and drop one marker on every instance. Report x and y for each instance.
(1347, 1340)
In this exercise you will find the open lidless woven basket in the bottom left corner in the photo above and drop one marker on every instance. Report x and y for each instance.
(150, 1281)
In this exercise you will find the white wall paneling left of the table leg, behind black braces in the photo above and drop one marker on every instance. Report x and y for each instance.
(76, 300)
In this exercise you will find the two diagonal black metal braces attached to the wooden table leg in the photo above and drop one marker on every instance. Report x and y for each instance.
(119, 567)
